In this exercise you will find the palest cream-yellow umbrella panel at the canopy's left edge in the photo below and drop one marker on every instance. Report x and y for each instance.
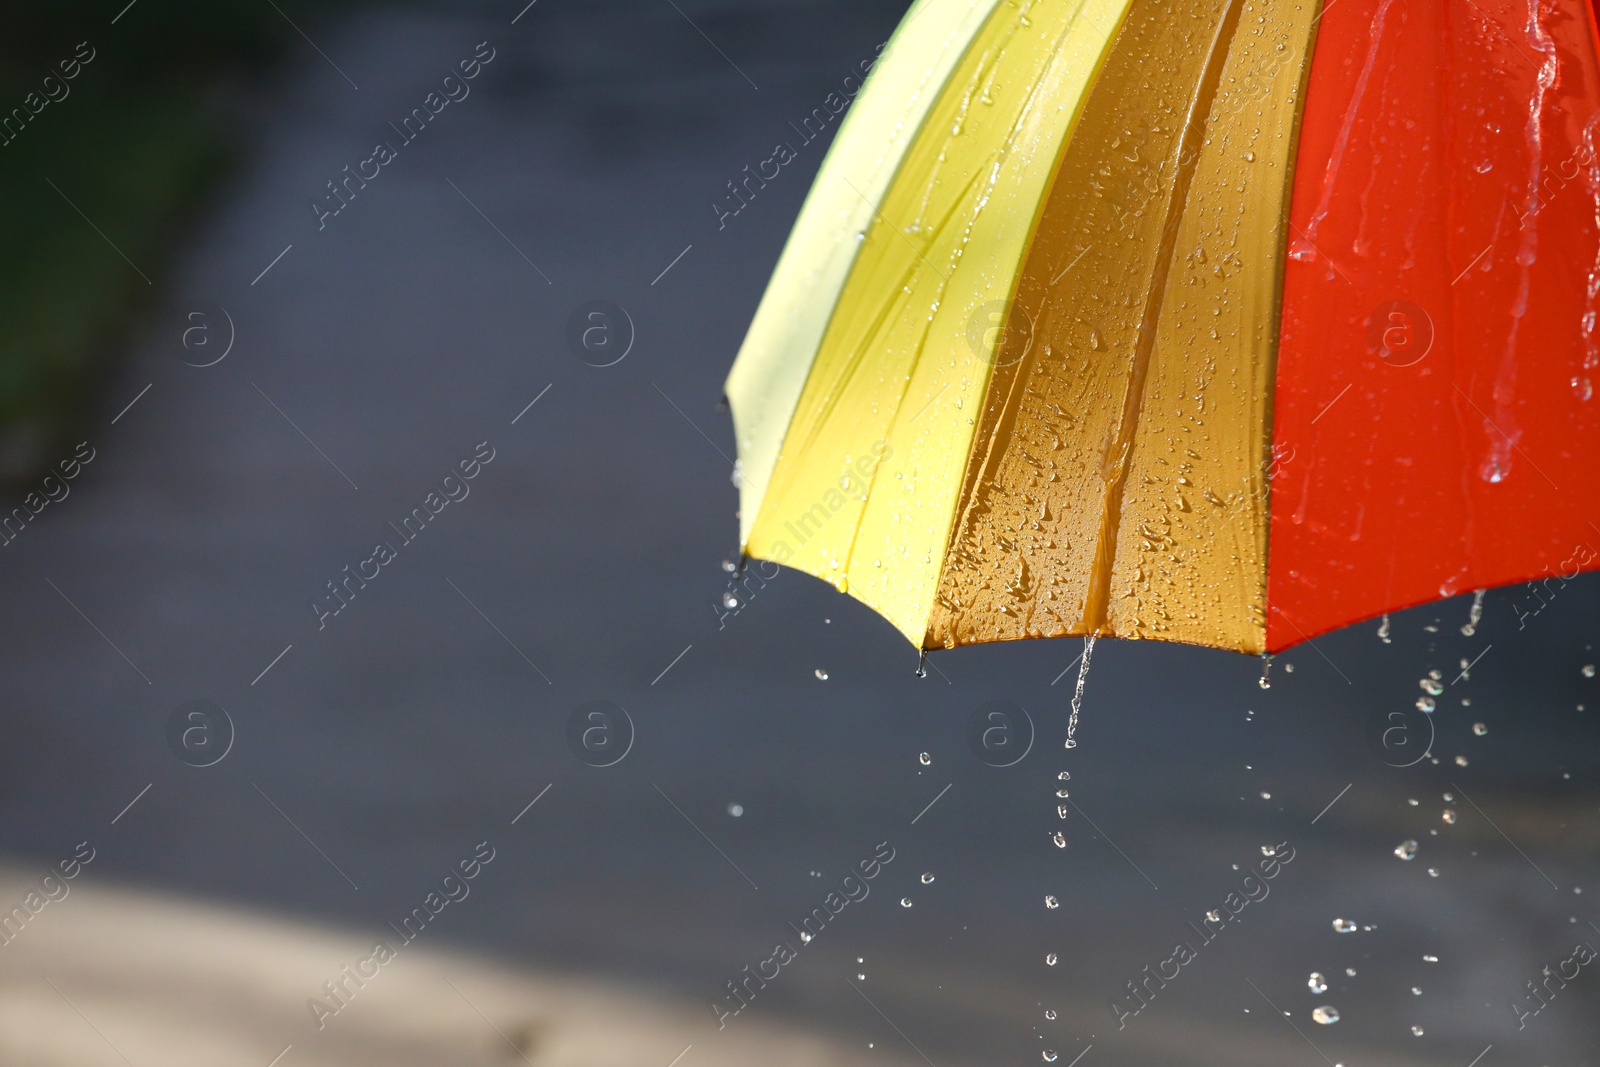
(879, 127)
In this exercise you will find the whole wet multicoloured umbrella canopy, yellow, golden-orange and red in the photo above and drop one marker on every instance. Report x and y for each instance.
(1225, 322)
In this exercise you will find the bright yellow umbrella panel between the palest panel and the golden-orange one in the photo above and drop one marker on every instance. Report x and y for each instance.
(871, 470)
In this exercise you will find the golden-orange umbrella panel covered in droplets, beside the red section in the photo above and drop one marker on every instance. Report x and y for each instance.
(1118, 484)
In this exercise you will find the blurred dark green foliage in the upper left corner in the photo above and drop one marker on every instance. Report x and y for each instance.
(137, 145)
